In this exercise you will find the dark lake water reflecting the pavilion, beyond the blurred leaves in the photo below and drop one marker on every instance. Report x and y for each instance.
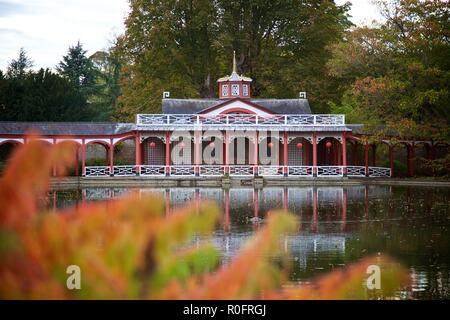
(338, 225)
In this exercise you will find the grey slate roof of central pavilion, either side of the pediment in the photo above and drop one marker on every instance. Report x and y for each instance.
(280, 106)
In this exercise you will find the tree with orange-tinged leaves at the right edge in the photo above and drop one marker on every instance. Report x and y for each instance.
(397, 73)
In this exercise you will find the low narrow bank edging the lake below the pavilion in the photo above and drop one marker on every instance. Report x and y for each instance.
(256, 182)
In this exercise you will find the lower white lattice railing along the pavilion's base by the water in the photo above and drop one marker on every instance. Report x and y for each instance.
(235, 171)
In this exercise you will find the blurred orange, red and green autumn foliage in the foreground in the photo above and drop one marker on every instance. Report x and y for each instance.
(127, 249)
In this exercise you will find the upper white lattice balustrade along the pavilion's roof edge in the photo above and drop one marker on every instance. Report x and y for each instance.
(241, 120)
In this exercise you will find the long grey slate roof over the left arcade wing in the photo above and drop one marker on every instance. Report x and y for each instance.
(66, 128)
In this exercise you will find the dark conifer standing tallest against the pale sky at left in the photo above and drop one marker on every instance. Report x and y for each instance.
(78, 69)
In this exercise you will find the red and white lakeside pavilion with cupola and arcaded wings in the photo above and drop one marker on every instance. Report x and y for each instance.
(240, 133)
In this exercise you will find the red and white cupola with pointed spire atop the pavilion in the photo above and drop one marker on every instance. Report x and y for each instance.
(234, 85)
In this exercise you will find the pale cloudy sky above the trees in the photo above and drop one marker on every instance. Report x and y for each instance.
(46, 28)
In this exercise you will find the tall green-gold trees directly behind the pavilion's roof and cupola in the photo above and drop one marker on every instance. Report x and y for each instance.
(184, 46)
